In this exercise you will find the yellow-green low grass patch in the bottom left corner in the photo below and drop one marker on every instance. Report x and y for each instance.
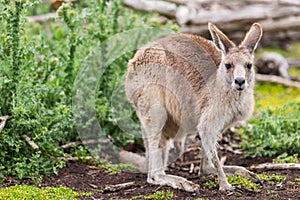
(31, 192)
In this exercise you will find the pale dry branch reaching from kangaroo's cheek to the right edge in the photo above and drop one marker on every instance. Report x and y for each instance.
(277, 79)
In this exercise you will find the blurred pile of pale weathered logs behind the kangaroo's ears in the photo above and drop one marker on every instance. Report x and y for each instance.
(280, 19)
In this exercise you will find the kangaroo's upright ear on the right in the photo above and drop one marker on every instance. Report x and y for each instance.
(252, 37)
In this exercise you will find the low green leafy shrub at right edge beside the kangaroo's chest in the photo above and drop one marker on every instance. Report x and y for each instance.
(275, 132)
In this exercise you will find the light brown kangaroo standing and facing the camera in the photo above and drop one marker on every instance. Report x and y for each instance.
(184, 84)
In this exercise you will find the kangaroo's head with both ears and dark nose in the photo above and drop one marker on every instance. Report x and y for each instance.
(236, 66)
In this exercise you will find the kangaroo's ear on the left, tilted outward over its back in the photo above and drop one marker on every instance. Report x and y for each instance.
(220, 39)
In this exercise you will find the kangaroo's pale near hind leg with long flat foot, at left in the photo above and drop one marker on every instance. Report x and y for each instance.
(152, 123)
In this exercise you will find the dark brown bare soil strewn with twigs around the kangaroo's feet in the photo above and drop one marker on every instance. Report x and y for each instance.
(86, 177)
